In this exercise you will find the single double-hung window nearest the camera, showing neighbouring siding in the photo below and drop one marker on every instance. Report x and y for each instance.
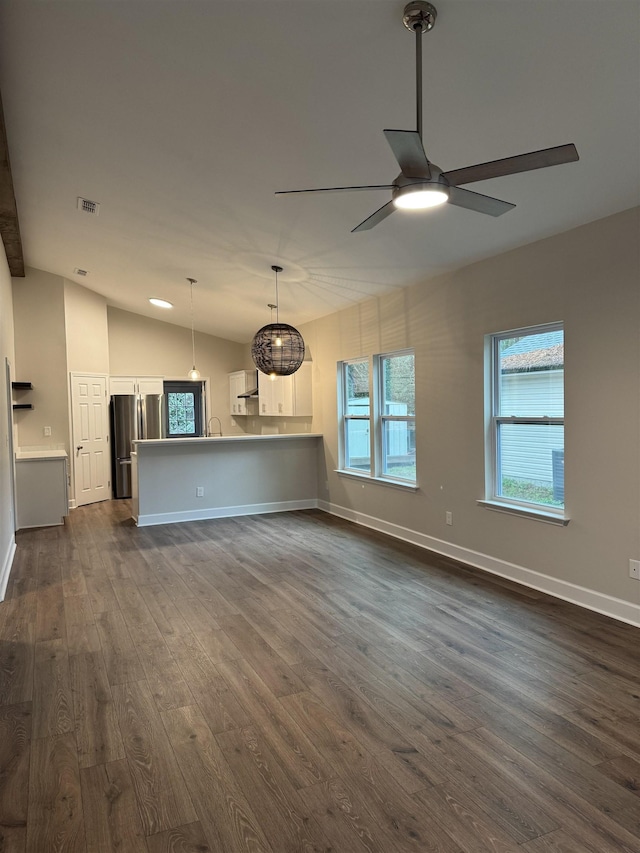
(526, 453)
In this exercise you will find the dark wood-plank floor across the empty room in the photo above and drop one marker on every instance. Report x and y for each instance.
(295, 683)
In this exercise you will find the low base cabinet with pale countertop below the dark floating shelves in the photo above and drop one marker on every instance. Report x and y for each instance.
(41, 488)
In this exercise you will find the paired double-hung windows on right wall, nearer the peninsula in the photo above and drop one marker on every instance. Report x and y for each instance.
(378, 417)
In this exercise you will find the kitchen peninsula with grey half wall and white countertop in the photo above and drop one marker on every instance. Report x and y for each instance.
(186, 479)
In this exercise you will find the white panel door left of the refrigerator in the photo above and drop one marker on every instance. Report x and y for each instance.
(90, 452)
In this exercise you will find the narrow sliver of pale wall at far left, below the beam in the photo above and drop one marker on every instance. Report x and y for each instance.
(7, 520)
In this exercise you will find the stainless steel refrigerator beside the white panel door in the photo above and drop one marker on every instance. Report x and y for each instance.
(133, 416)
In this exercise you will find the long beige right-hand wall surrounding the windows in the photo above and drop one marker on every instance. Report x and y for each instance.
(588, 278)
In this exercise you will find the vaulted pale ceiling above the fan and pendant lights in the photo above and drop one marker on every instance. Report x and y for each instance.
(182, 118)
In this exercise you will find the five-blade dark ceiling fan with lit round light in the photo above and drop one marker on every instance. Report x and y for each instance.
(421, 183)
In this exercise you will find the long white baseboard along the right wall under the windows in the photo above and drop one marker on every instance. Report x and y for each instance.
(616, 608)
